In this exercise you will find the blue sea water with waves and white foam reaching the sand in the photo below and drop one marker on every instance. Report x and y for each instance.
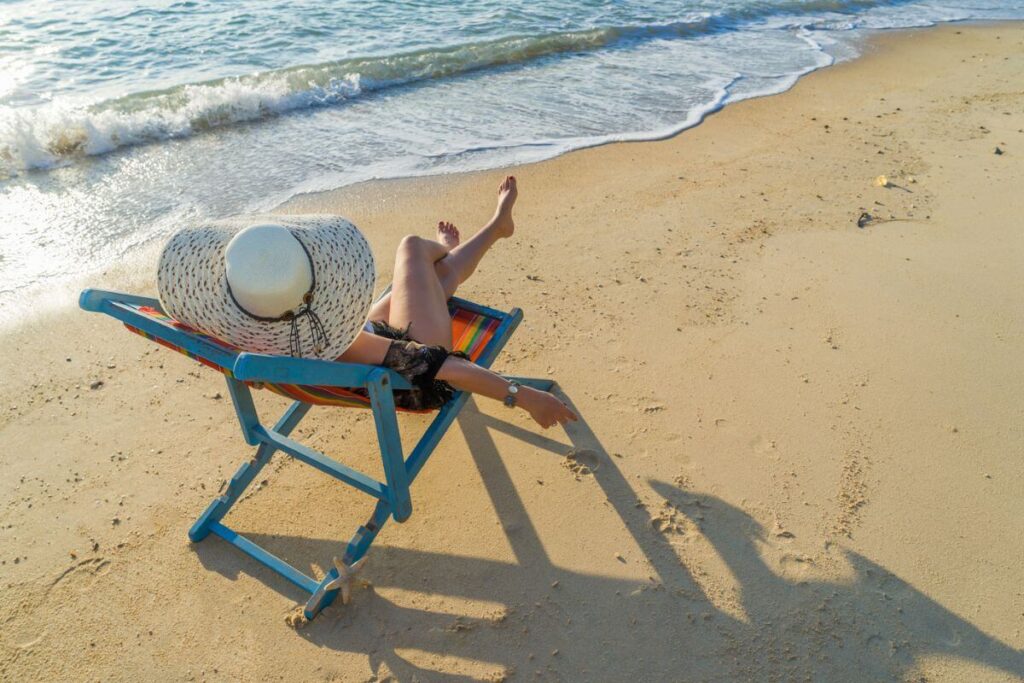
(120, 121)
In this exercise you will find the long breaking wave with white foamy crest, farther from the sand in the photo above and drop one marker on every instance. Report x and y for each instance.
(57, 134)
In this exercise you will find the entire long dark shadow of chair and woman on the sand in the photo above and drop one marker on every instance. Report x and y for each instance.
(876, 627)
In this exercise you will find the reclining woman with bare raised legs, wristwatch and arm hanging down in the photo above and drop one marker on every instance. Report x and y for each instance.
(410, 330)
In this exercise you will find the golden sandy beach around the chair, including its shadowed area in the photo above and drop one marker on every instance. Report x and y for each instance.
(799, 457)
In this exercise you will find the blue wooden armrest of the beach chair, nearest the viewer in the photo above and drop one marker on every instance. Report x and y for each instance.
(286, 370)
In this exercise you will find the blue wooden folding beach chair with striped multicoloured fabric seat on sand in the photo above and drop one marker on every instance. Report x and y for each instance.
(479, 331)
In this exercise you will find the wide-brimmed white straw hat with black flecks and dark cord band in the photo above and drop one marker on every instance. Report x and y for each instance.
(246, 282)
